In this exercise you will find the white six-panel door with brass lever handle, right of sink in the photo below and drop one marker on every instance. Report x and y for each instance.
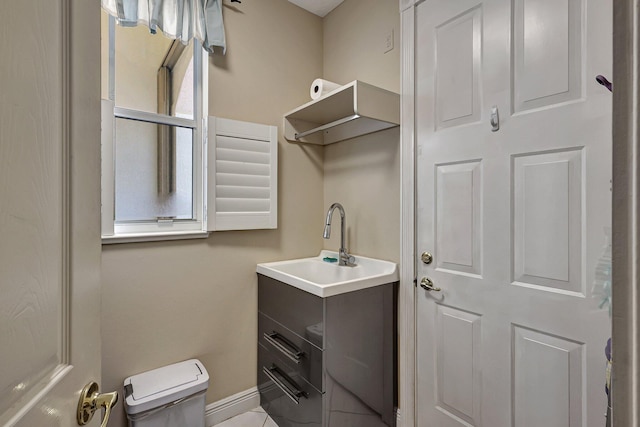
(514, 218)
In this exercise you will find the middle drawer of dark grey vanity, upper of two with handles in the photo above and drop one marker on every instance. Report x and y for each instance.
(298, 354)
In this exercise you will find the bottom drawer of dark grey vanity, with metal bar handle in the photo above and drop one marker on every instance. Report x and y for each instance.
(285, 395)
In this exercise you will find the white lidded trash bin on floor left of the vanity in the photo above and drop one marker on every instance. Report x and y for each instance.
(169, 396)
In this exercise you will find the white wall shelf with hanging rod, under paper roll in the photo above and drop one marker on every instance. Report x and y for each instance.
(353, 110)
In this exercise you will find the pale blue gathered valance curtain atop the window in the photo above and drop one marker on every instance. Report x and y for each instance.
(177, 19)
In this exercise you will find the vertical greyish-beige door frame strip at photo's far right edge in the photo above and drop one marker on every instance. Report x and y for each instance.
(626, 213)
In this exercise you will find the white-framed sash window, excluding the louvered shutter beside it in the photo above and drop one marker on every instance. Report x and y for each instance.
(153, 135)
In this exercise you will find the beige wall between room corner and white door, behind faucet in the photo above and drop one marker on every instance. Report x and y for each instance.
(364, 173)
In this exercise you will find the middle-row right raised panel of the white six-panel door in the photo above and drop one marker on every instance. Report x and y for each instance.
(547, 243)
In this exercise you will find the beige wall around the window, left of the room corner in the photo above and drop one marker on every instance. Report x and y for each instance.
(169, 301)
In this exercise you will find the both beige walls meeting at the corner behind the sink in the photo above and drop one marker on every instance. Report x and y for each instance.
(169, 301)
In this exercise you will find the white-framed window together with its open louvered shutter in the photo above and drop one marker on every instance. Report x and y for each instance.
(165, 164)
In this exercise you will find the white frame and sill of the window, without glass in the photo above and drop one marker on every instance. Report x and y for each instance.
(136, 231)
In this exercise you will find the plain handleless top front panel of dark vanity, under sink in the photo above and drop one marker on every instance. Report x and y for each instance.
(299, 311)
